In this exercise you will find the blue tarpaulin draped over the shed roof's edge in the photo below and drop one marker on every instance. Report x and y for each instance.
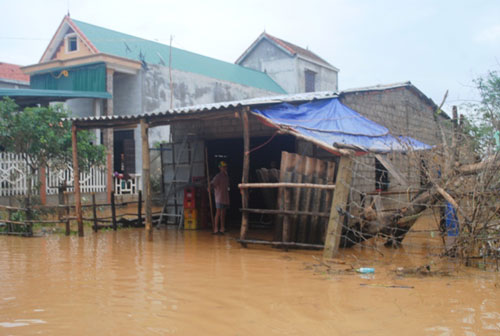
(330, 123)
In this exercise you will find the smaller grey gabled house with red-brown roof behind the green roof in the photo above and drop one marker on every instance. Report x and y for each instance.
(294, 68)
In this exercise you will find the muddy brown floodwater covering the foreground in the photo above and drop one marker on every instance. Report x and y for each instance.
(194, 283)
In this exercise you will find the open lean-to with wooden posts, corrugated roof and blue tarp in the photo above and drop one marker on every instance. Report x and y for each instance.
(316, 118)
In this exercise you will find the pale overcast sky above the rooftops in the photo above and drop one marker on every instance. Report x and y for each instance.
(437, 45)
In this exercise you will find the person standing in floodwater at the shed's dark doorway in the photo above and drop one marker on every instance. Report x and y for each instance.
(220, 183)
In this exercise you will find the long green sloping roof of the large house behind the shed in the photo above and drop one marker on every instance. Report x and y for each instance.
(115, 43)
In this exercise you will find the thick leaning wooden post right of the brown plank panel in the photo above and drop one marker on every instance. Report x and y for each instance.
(342, 186)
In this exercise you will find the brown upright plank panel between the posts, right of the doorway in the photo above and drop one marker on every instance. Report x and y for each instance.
(303, 169)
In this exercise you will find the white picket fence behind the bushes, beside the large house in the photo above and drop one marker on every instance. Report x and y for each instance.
(13, 181)
